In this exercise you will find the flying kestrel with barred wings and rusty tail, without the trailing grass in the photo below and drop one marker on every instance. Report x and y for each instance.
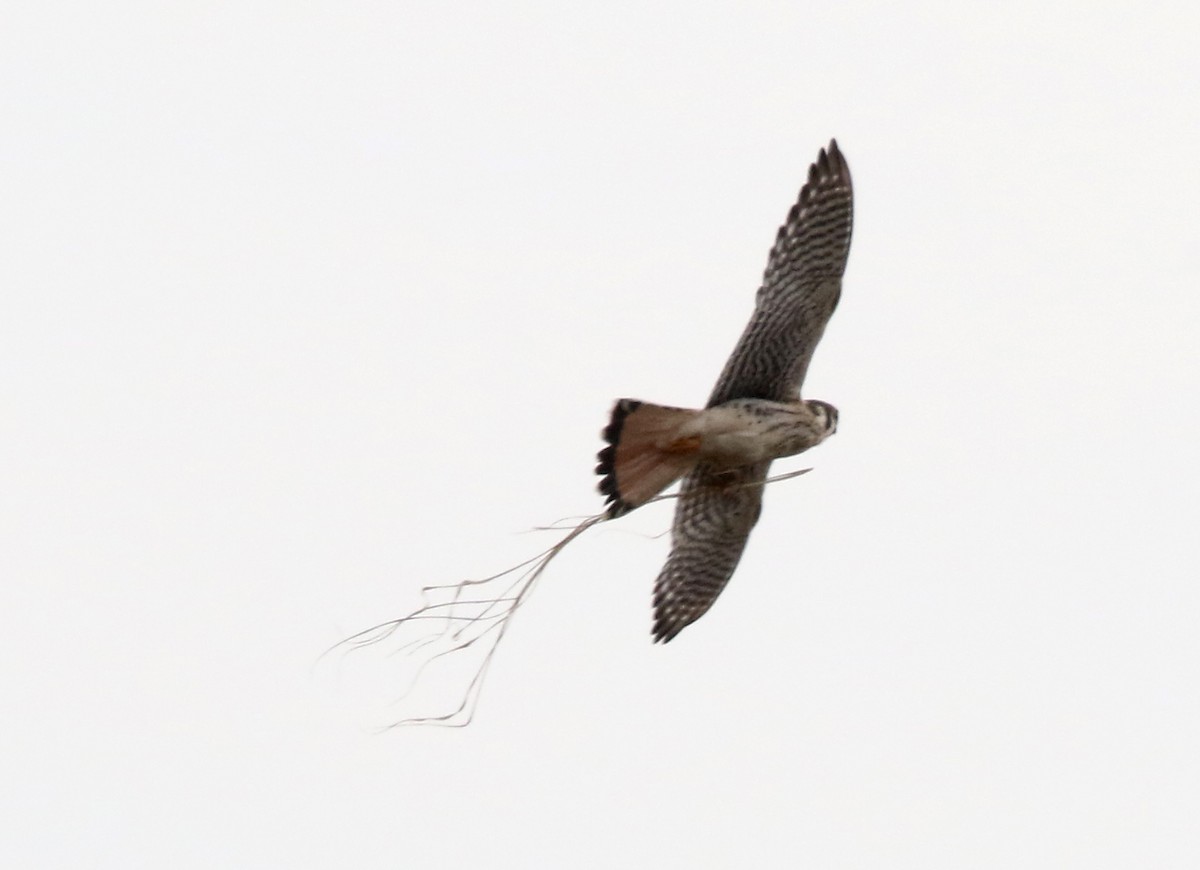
(754, 416)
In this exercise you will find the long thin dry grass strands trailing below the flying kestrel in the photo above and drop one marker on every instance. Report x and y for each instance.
(471, 617)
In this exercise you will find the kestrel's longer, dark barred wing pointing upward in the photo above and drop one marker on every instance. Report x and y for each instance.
(800, 290)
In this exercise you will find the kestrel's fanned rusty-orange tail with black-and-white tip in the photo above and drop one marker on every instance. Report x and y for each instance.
(647, 452)
